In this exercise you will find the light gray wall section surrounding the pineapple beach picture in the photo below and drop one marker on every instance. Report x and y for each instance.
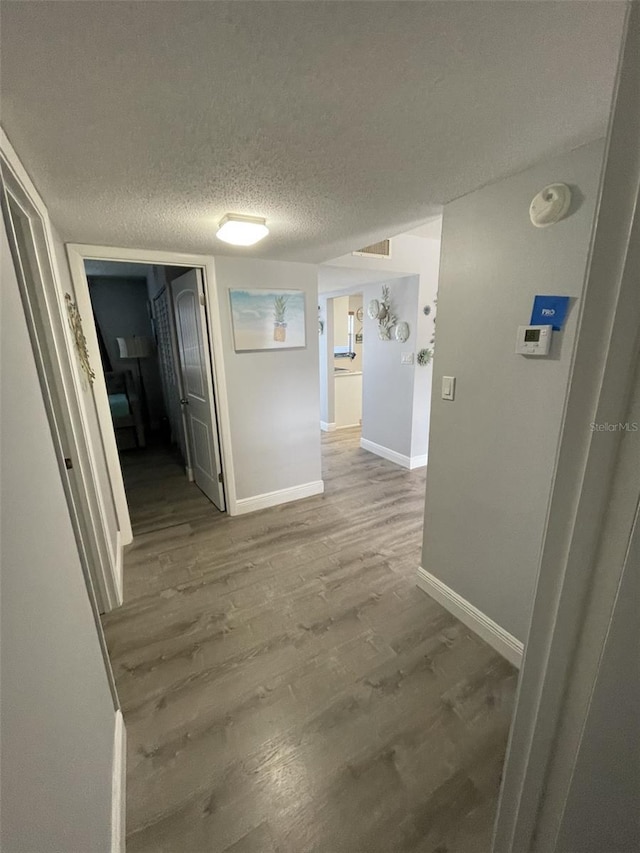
(274, 403)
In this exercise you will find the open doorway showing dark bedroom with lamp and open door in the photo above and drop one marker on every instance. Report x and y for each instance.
(153, 343)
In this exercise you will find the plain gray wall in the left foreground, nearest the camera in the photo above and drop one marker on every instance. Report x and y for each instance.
(57, 717)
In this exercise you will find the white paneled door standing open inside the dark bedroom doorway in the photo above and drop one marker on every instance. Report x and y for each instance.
(198, 400)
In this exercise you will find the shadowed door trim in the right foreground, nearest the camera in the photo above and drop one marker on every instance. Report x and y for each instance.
(538, 767)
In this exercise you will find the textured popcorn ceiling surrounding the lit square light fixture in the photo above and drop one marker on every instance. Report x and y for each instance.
(142, 123)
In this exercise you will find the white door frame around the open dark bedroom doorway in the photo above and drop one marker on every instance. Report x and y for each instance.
(77, 254)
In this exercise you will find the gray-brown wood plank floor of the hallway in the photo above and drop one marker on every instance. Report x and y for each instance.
(285, 685)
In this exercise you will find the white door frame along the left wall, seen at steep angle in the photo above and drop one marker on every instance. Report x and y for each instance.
(60, 381)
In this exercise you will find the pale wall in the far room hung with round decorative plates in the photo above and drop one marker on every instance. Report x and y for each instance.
(387, 398)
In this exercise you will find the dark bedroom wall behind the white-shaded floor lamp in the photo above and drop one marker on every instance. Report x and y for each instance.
(121, 307)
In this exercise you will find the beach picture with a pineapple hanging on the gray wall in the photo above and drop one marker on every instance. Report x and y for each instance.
(268, 319)
